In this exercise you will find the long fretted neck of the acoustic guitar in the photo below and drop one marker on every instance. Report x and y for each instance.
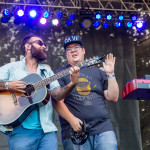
(56, 76)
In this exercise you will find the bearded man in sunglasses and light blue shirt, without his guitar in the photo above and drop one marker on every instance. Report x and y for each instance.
(37, 132)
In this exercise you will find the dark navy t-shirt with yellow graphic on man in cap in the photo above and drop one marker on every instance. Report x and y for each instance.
(87, 101)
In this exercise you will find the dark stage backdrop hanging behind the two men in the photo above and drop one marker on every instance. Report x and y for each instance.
(124, 114)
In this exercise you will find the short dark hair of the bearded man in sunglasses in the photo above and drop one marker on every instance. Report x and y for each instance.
(26, 39)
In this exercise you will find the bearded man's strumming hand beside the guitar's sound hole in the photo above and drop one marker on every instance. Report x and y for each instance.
(17, 86)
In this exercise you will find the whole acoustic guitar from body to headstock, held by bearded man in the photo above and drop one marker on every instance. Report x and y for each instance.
(15, 107)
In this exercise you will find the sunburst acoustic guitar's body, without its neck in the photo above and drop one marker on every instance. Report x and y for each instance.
(15, 107)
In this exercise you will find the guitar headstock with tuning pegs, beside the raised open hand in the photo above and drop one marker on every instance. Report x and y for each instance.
(95, 61)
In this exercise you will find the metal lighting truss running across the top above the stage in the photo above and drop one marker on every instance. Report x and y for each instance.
(102, 5)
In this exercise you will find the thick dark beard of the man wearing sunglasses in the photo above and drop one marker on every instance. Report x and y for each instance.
(38, 54)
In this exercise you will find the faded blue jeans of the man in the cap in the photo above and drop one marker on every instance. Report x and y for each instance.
(104, 141)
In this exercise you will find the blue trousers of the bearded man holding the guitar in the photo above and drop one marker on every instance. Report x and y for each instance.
(25, 139)
